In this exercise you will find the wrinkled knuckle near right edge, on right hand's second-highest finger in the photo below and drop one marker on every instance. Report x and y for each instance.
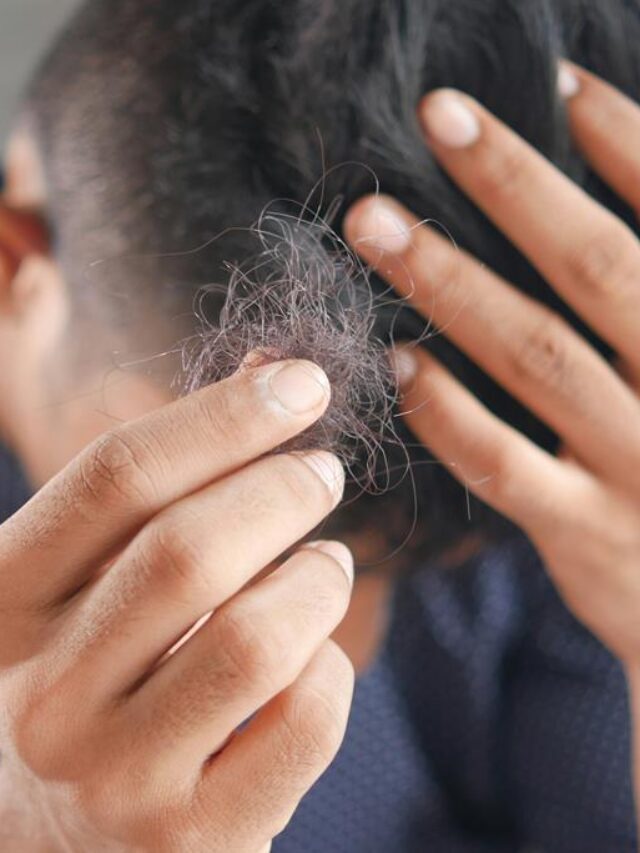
(607, 265)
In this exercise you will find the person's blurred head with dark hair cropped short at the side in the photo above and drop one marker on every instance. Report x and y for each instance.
(155, 127)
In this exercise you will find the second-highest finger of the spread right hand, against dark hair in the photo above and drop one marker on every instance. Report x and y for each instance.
(589, 256)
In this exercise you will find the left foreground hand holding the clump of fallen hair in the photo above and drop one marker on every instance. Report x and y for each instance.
(109, 741)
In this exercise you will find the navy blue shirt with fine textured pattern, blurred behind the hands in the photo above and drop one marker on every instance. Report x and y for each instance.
(491, 722)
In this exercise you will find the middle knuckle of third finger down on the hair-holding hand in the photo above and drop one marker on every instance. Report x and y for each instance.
(255, 657)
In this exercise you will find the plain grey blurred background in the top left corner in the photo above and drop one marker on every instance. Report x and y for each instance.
(26, 26)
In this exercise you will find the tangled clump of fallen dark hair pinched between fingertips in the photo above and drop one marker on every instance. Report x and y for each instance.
(303, 295)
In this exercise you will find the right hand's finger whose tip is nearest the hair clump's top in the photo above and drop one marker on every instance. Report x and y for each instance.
(531, 351)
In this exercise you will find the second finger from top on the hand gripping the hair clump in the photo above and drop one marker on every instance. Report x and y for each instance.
(189, 560)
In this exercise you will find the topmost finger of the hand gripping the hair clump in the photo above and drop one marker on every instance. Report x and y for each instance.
(51, 547)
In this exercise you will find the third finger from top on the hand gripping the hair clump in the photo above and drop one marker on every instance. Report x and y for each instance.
(255, 646)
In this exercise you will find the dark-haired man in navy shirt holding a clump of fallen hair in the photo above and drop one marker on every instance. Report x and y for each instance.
(483, 705)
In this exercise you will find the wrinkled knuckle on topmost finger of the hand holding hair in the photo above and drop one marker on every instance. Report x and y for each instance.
(114, 469)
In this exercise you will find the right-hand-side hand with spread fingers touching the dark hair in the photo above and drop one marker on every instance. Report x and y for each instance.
(582, 510)
